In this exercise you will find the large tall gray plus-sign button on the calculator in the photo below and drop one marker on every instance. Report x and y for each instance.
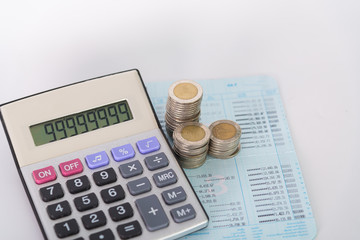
(152, 213)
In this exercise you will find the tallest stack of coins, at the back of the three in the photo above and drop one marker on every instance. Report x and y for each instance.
(183, 104)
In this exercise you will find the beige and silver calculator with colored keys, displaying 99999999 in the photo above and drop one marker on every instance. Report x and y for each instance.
(96, 165)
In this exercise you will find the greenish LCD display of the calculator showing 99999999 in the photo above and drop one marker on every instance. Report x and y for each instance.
(82, 122)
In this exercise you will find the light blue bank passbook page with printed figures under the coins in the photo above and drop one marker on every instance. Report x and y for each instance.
(260, 193)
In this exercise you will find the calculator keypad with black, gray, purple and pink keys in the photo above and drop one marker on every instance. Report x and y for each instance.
(133, 178)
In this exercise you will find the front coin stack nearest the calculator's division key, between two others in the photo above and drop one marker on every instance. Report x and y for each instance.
(191, 141)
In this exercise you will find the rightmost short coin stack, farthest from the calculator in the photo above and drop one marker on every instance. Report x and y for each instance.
(225, 139)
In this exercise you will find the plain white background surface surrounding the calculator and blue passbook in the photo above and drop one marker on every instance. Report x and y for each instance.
(311, 47)
